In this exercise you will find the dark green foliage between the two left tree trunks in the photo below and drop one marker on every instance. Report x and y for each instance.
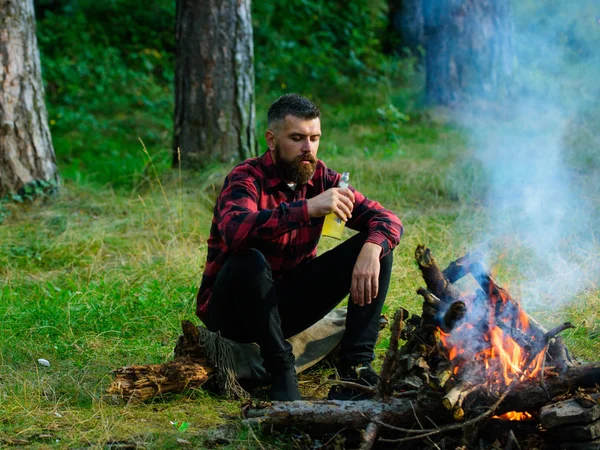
(109, 81)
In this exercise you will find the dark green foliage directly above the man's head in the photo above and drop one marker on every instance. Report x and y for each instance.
(327, 49)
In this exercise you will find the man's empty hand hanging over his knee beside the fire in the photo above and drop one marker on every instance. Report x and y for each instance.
(365, 276)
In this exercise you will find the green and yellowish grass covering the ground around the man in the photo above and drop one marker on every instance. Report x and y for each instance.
(100, 277)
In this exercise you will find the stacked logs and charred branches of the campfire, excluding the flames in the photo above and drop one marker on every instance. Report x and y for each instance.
(421, 383)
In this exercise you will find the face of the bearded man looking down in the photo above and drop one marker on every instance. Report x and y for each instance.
(294, 147)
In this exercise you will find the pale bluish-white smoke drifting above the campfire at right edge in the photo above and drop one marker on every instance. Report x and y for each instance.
(539, 168)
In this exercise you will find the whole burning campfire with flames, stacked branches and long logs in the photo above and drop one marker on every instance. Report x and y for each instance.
(475, 371)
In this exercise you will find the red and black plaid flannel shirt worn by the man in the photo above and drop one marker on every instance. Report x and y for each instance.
(257, 209)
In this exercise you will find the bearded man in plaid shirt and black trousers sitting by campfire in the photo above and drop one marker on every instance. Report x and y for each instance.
(263, 281)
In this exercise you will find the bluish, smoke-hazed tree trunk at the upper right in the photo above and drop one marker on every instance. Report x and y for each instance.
(469, 50)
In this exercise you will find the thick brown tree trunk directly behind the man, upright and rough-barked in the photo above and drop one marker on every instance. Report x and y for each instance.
(214, 83)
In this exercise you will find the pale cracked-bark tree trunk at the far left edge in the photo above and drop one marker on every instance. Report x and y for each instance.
(26, 152)
